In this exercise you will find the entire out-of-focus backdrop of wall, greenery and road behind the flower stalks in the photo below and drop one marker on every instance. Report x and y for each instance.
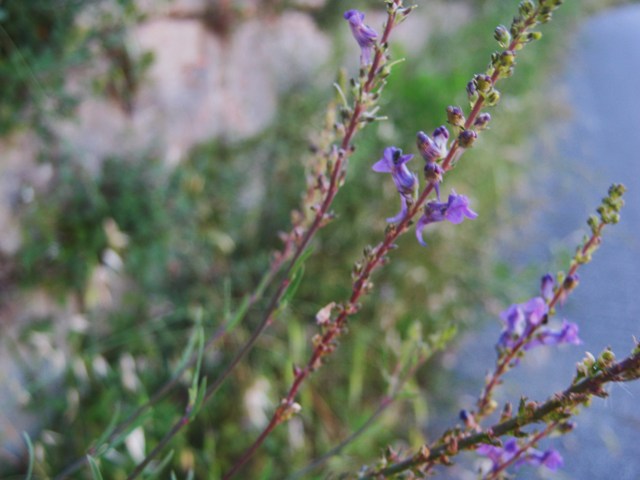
(152, 150)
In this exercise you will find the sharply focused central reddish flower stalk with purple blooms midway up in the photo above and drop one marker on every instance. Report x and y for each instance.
(482, 92)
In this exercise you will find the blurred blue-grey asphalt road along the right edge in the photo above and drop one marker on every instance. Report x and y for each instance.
(598, 145)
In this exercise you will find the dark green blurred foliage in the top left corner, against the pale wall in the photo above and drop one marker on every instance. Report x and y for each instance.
(42, 40)
